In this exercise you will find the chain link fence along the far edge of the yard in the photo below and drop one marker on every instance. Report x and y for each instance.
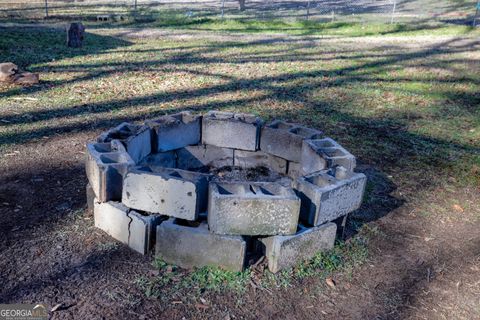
(456, 11)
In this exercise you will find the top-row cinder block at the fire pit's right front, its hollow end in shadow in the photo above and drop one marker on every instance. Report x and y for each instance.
(329, 194)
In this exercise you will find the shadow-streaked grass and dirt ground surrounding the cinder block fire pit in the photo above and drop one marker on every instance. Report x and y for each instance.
(408, 107)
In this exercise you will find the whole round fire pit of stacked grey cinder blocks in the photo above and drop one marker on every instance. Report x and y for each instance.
(218, 188)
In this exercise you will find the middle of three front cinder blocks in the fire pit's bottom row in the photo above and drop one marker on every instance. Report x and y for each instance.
(193, 245)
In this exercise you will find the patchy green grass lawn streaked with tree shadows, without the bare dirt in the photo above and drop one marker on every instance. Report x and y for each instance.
(407, 106)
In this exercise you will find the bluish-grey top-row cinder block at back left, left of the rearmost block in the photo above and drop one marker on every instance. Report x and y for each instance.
(175, 131)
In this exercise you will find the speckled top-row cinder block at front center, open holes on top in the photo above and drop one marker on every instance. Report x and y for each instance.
(252, 209)
